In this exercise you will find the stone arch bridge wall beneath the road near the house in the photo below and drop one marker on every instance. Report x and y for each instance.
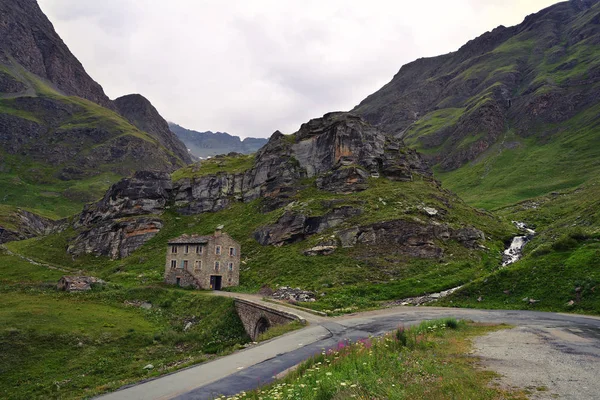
(257, 318)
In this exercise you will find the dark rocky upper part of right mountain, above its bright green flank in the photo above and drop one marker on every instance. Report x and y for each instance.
(457, 106)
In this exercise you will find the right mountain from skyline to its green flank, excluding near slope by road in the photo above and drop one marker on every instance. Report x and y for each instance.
(512, 114)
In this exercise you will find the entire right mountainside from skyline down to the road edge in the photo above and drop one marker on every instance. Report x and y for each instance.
(511, 122)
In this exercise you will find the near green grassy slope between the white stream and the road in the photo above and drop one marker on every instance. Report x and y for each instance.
(561, 265)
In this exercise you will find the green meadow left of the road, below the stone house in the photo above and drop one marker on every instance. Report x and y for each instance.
(73, 345)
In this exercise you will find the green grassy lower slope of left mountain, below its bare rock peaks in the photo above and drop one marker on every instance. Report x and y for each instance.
(100, 142)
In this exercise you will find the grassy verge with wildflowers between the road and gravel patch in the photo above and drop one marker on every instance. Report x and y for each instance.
(429, 361)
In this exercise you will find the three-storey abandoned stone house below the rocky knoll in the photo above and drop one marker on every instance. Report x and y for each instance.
(204, 262)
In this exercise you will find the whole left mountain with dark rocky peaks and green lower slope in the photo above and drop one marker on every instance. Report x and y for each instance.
(62, 140)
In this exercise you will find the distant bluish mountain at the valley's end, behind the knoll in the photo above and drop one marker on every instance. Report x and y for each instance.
(209, 144)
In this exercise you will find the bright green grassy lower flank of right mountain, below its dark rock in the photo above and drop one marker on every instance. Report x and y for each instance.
(531, 167)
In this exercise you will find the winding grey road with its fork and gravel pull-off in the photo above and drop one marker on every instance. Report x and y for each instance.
(534, 354)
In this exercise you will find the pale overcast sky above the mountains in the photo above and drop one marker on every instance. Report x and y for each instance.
(250, 67)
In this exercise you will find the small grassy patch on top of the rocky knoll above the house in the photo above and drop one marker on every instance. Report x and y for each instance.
(219, 164)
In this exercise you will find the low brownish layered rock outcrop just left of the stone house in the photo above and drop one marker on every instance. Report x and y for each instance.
(115, 238)
